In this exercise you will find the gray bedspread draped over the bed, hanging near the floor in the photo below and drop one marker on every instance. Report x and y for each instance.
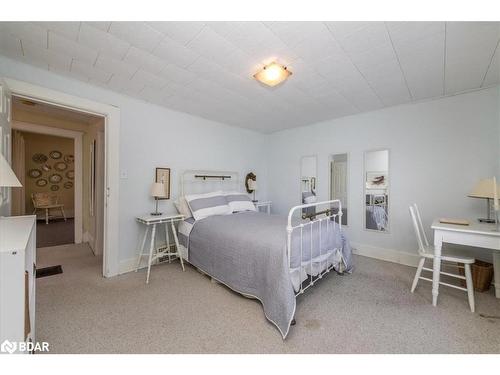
(247, 252)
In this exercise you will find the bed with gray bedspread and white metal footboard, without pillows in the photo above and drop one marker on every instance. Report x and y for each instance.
(272, 258)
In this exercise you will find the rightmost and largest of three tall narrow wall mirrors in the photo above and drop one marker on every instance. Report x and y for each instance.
(376, 181)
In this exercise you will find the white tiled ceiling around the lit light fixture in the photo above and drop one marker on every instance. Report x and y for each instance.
(206, 68)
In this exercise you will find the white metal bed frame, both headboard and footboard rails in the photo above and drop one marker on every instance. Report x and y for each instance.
(330, 214)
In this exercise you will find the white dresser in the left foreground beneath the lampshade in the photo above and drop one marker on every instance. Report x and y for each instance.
(17, 279)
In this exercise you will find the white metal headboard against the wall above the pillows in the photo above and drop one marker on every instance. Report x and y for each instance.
(204, 181)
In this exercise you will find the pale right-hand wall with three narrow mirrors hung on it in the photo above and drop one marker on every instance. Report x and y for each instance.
(438, 150)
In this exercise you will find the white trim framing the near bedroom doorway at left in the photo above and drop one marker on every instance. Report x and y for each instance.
(112, 152)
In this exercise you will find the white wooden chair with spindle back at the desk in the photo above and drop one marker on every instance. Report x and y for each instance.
(427, 252)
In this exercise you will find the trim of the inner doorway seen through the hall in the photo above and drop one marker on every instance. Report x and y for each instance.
(78, 149)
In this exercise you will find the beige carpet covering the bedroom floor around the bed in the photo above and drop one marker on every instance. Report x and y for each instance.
(370, 311)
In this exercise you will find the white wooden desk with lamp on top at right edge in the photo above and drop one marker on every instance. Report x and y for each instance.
(476, 234)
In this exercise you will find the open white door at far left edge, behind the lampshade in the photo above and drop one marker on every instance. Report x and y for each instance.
(5, 142)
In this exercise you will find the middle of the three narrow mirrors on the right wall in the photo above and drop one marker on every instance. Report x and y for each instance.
(339, 174)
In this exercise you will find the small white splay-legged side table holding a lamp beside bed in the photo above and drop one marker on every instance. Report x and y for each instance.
(155, 253)
